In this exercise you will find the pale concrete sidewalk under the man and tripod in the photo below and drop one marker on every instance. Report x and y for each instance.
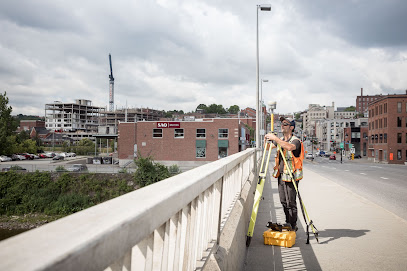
(354, 233)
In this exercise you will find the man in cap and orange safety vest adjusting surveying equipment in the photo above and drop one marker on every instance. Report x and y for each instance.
(294, 153)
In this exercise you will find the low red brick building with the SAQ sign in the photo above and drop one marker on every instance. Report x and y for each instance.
(197, 141)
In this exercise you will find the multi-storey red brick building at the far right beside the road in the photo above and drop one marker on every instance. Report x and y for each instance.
(388, 129)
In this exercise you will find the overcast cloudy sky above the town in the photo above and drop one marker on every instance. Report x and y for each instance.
(174, 54)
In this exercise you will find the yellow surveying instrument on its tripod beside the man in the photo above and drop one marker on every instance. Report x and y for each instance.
(260, 185)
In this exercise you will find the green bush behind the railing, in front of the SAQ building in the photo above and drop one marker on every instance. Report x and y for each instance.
(149, 172)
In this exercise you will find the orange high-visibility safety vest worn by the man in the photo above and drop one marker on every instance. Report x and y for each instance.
(294, 164)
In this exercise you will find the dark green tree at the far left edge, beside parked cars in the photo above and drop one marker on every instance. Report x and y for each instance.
(7, 124)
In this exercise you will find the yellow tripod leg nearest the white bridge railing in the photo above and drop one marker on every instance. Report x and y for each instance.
(259, 191)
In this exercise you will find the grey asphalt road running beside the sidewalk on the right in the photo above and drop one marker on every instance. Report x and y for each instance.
(382, 184)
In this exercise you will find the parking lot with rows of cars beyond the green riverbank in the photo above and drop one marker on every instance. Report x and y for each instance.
(47, 164)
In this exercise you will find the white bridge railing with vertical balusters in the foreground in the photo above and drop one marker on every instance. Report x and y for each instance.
(169, 225)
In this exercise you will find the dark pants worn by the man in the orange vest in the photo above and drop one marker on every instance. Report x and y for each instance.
(288, 196)
